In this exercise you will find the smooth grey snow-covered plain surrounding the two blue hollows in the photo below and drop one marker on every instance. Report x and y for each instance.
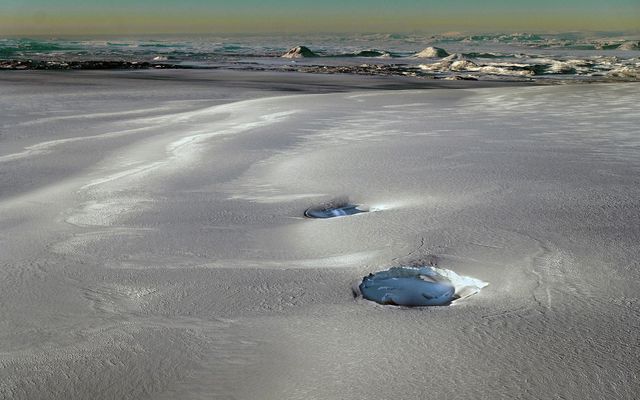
(153, 243)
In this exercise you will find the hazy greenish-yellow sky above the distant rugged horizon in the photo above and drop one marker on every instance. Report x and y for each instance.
(94, 17)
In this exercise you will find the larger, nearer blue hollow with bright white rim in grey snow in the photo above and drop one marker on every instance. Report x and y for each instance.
(418, 286)
